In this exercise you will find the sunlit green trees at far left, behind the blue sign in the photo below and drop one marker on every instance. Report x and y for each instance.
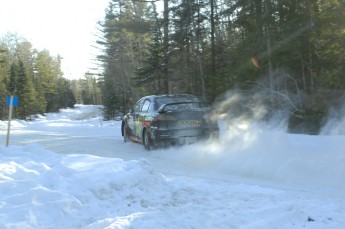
(34, 76)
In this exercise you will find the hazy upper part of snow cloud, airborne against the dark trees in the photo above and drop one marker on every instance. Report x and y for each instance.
(259, 104)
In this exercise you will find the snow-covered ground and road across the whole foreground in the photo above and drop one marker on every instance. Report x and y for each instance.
(73, 170)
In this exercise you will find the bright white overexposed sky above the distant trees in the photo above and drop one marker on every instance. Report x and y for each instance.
(64, 27)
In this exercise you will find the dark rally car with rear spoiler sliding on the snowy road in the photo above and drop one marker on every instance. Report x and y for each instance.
(163, 120)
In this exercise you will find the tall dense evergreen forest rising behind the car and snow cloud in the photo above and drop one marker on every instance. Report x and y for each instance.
(291, 50)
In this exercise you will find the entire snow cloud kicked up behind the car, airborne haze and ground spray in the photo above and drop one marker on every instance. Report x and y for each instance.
(254, 144)
